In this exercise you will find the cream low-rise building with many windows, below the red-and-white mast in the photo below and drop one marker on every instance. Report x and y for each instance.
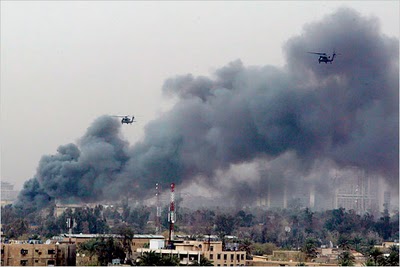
(190, 251)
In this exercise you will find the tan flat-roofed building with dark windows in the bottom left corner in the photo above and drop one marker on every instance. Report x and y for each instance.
(38, 254)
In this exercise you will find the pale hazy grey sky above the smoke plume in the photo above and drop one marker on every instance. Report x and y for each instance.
(63, 64)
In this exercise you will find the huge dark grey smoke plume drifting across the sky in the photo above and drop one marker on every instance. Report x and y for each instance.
(345, 112)
